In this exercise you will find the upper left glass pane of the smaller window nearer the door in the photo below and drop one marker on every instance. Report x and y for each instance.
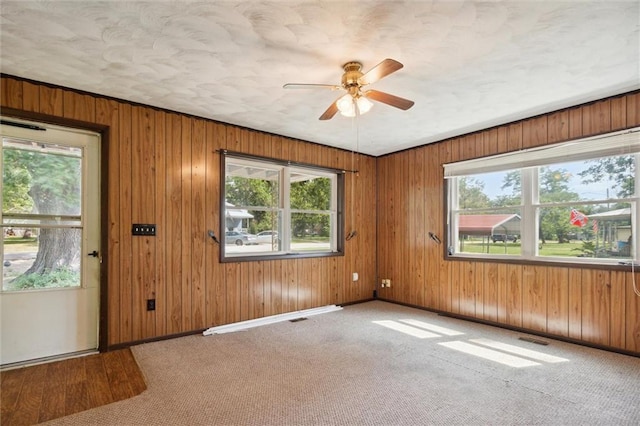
(251, 185)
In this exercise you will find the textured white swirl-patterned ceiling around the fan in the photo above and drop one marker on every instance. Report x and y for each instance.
(468, 65)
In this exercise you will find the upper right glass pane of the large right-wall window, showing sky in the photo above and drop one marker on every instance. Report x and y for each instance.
(601, 179)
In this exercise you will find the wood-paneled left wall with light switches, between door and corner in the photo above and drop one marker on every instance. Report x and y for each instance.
(163, 168)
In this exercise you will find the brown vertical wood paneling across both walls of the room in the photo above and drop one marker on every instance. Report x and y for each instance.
(163, 168)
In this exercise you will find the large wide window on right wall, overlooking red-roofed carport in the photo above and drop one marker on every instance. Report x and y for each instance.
(571, 202)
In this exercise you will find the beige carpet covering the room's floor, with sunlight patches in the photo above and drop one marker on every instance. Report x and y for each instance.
(347, 368)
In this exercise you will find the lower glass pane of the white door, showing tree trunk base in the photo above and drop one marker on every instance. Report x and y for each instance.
(26, 249)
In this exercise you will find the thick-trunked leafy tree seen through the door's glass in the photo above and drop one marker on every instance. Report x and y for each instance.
(46, 184)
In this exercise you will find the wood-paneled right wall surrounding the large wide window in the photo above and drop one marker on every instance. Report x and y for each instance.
(596, 306)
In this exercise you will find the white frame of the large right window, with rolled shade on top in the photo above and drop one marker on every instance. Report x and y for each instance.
(528, 162)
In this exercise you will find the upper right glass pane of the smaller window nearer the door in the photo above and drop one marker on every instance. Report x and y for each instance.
(310, 192)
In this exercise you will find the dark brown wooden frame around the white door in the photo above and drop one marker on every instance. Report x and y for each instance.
(103, 130)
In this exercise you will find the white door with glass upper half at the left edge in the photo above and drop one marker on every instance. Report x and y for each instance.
(50, 222)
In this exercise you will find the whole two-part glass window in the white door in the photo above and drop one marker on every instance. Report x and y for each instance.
(41, 222)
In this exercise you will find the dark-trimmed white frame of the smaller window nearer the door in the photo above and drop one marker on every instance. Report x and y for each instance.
(336, 211)
